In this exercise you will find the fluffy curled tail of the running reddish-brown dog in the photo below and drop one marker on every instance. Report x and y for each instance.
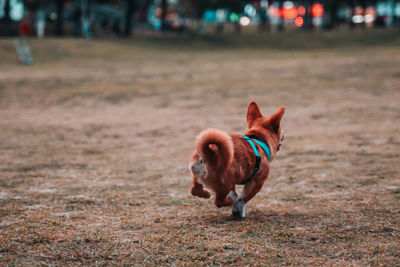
(216, 149)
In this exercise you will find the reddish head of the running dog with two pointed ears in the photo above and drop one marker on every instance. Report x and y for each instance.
(268, 128)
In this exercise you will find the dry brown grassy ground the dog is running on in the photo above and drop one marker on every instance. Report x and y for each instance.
(95, 137)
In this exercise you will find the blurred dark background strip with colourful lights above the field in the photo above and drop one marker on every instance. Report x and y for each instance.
(105, 18)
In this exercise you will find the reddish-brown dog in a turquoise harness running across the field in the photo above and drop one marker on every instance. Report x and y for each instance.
(221, 161)
